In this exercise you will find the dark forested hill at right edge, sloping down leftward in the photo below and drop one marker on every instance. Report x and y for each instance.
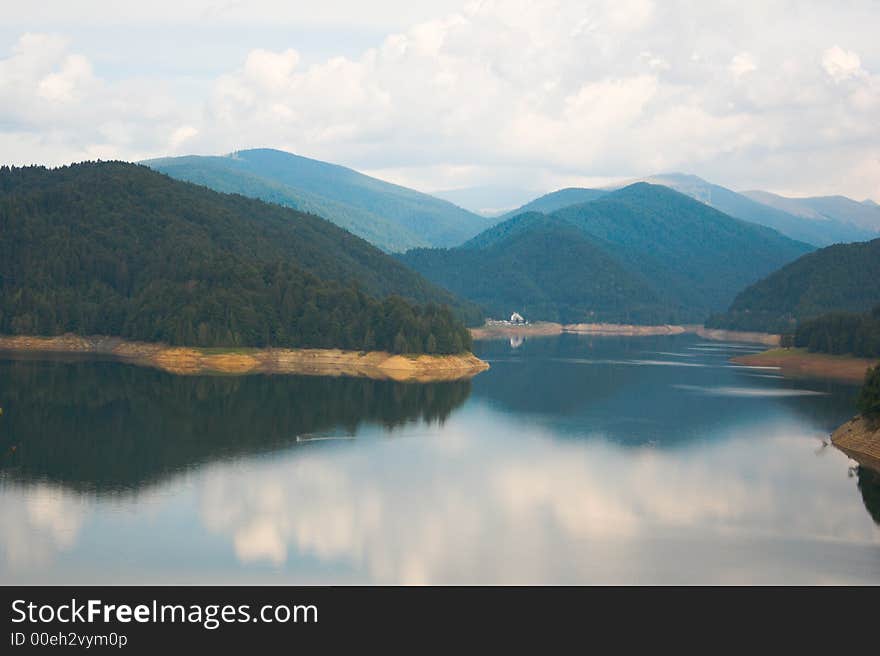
(840, 278)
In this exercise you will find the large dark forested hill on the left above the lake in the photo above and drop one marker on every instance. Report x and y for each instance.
(118, 249)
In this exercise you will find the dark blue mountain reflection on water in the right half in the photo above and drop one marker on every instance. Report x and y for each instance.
(580, 385)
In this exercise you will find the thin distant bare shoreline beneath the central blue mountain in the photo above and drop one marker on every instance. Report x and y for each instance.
(547, 328)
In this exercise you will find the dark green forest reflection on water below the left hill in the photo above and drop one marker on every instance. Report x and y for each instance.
(105, 426)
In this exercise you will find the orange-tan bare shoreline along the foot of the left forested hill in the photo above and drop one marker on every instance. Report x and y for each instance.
(378, 365)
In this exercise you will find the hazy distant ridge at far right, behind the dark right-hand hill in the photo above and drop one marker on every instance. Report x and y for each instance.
(816, 232)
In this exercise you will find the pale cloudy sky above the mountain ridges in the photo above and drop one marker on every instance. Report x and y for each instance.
(442, 94)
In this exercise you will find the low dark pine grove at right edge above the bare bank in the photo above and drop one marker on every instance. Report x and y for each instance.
(842, 333)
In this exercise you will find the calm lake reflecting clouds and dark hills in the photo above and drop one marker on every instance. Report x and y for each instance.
(574, 459)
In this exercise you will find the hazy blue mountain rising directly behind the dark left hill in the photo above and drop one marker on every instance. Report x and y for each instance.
(387, 215)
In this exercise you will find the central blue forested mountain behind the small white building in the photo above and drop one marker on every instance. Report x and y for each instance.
(645, 254)
